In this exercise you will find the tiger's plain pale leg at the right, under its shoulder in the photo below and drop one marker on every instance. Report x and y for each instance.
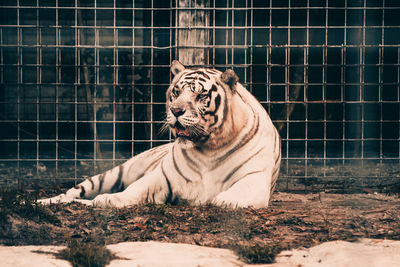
(247, 192)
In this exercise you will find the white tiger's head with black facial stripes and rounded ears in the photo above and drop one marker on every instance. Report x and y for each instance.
(198, 102)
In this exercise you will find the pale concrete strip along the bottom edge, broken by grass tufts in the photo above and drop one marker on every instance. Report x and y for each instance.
(366, 252)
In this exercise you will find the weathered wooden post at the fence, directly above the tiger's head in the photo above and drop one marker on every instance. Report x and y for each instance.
(193, 35)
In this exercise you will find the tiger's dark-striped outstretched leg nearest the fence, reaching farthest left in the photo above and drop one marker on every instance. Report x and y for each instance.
(114, 180)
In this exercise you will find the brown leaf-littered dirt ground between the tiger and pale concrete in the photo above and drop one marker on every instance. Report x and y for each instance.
(291, 221)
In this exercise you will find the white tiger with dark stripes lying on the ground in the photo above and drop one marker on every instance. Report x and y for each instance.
(226, 150)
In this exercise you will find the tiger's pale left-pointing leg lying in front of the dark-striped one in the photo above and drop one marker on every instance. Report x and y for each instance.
(153, 187)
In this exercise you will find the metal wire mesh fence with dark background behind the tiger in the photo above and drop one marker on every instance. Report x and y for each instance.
(83, 82)
